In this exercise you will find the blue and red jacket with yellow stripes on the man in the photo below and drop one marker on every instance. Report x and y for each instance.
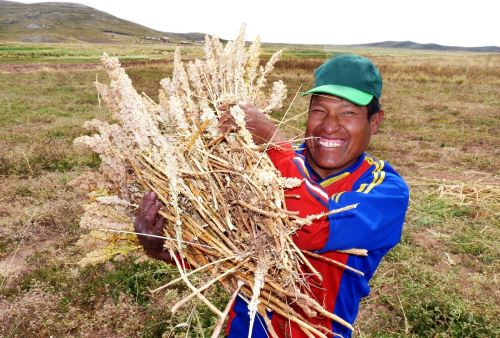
(375, 225)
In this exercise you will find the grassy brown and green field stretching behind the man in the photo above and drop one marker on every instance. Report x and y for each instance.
(440, 132)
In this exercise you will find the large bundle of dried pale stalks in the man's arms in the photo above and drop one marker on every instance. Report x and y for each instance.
(220, 190)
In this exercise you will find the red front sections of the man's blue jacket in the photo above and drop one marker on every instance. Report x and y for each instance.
(312, 237)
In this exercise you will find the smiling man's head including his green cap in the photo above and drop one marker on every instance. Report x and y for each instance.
(341, 119)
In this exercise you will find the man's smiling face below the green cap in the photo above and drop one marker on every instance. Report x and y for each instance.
(337, 133)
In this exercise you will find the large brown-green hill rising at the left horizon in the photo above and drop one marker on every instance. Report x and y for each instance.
(70, 22)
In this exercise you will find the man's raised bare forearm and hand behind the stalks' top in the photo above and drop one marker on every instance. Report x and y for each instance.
(261, 127)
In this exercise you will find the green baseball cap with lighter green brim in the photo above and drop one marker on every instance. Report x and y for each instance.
(351, 77)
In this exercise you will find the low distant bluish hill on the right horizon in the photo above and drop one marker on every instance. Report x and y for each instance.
(428, 46)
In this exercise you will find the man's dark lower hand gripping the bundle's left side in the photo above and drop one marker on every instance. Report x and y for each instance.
(148, 222)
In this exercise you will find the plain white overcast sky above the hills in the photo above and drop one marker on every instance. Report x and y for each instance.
(446, 22)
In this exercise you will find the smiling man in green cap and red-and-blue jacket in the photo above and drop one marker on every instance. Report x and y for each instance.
(344, 113)
